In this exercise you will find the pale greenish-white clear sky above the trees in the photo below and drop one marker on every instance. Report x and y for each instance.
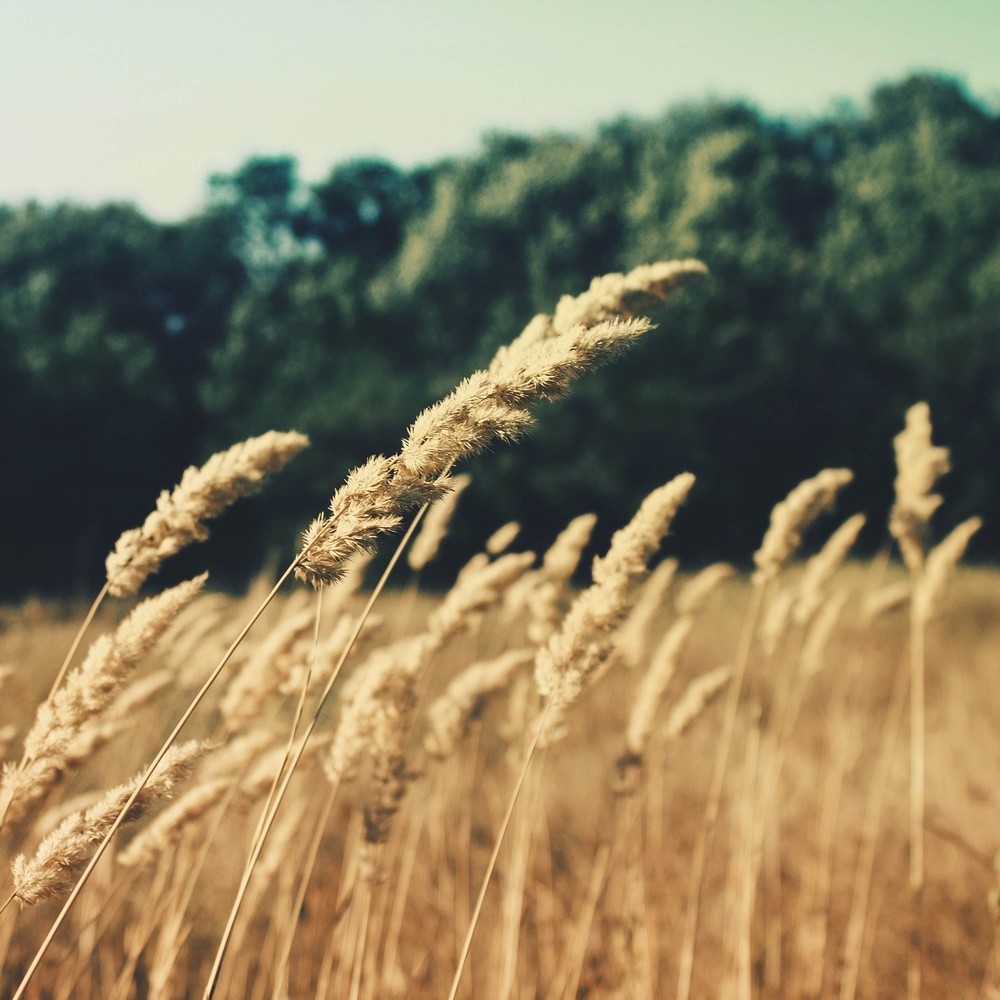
(141, 101)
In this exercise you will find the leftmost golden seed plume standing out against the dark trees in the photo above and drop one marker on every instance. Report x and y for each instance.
(203, 493)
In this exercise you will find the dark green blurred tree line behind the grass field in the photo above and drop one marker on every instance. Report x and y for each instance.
(855, 269)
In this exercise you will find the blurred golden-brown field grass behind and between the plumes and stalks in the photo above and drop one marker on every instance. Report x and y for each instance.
(587, 890)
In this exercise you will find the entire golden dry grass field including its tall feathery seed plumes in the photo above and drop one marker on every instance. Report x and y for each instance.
(633, 784)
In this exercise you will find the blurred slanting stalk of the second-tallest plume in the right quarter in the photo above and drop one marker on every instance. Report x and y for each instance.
(704, 842)
